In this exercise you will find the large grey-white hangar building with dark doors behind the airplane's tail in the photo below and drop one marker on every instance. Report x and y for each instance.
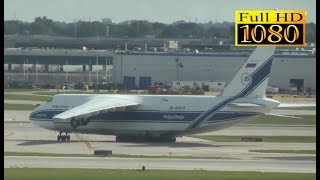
(141, 69)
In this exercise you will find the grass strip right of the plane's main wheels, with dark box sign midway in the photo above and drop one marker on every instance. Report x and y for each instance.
(278, 139)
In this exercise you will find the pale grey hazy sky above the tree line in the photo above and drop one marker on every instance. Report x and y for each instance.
(164, 11)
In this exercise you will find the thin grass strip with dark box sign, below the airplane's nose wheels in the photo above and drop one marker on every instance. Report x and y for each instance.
(113, 155)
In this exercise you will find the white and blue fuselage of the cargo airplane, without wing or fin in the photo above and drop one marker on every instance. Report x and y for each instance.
(174, 115)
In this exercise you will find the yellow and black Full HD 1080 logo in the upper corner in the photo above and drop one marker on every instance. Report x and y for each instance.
(270, 27)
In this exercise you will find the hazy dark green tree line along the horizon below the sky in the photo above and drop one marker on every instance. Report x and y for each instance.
(130, 29)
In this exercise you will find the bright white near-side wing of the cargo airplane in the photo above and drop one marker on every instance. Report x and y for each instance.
(96, 106)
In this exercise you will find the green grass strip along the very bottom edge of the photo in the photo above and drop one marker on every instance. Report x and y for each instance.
(97, 174)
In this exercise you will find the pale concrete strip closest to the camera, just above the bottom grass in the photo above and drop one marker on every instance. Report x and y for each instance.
(161, 163)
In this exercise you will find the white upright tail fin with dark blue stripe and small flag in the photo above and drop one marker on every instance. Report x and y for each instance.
(252, 78)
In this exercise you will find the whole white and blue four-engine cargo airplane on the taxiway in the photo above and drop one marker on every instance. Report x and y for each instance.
(162, 117)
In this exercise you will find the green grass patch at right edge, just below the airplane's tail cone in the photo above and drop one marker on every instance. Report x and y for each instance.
(306, 120)
